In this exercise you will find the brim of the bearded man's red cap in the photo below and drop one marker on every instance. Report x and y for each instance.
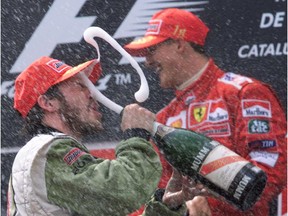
(91, 68)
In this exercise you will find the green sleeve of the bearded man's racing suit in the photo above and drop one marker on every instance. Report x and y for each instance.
(91, 186)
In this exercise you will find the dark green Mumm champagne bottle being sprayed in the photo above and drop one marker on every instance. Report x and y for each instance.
(221, 170)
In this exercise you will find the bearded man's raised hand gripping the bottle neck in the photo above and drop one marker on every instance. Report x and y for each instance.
(135, 116)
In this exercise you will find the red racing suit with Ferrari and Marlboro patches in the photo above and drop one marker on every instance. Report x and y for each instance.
(244, 115)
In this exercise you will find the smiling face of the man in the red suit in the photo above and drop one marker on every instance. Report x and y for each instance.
(163, 59)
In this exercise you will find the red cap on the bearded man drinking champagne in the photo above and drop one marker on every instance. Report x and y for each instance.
(44, 73)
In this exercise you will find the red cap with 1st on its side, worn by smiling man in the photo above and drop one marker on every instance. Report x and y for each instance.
(169, 23)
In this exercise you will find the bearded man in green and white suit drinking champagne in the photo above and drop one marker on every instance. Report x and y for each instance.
(54, 174)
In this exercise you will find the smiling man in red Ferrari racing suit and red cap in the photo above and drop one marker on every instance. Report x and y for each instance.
(240, 112)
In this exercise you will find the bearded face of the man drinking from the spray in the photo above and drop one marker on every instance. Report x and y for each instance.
(78, 109)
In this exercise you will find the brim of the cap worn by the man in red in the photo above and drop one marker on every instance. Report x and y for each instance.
(139, 46)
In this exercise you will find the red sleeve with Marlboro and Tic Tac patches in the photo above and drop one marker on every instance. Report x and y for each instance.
(260, 137)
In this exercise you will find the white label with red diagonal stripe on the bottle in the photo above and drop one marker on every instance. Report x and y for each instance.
(221, 166)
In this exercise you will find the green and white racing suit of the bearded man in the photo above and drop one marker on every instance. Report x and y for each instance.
(53, 174)
